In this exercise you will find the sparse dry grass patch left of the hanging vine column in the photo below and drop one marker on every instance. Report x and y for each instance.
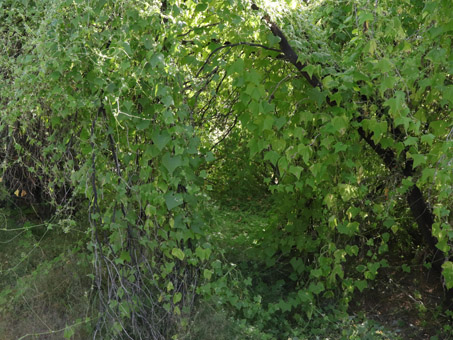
(44, 285)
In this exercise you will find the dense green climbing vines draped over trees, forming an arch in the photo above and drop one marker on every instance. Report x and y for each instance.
(334, 116)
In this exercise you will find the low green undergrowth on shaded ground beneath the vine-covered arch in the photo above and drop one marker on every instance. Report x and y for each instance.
(244, 286)
